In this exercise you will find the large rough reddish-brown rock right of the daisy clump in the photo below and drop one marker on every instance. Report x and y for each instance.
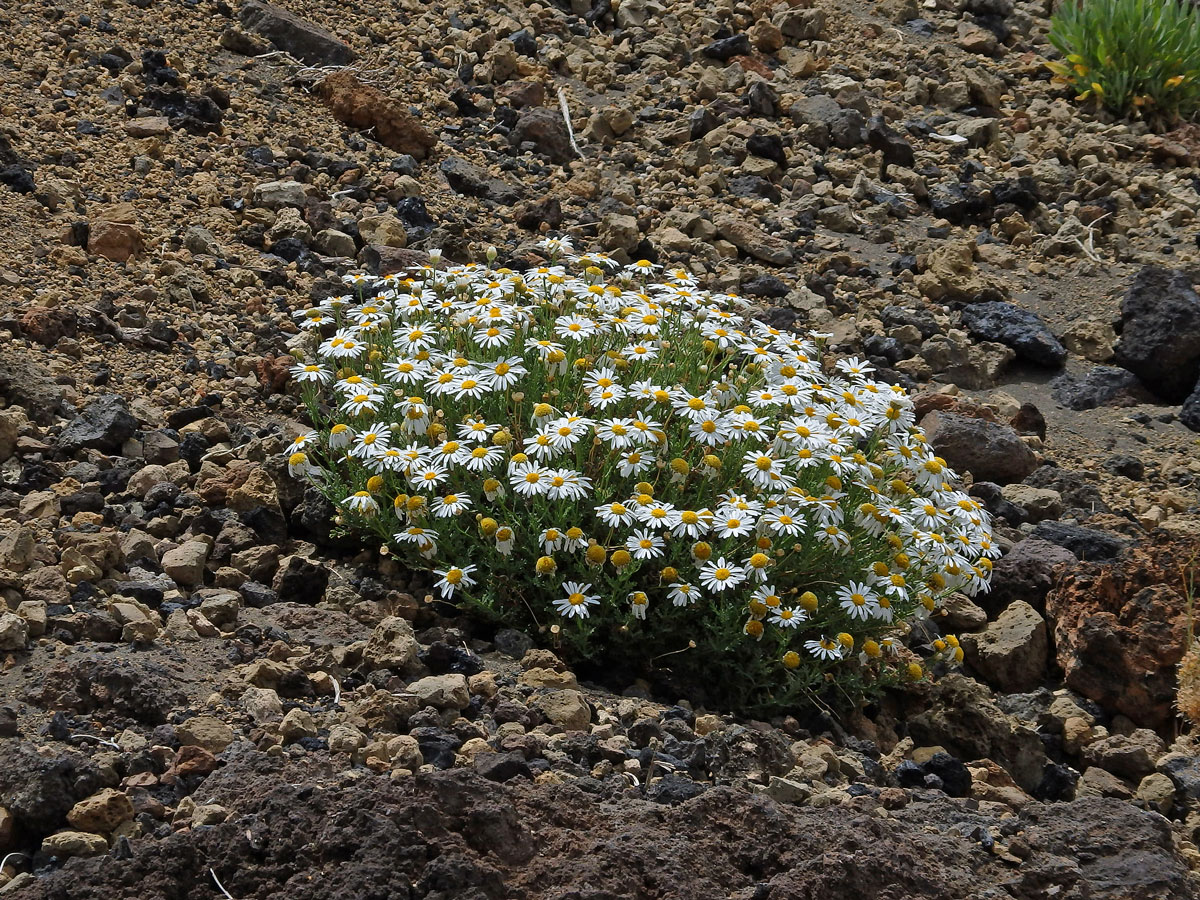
(1120, 632)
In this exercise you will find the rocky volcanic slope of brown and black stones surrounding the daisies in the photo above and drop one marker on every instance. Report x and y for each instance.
(205, 694)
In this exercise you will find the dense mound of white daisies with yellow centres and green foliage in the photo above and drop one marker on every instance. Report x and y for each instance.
(641, 472)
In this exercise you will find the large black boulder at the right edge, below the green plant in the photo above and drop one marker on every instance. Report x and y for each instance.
(1161, 333)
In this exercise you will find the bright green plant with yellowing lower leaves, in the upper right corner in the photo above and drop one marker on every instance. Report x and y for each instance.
(1131, 56)
